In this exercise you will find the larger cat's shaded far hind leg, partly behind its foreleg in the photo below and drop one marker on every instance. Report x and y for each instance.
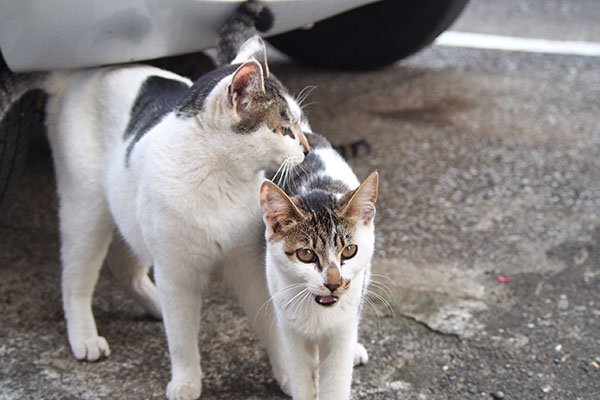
(133, 276)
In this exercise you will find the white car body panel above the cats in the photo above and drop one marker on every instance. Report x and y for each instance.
(42, 34)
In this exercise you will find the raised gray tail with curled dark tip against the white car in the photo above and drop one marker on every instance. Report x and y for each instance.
(246, 21)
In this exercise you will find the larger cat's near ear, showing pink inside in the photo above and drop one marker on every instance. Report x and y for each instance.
(246, 83)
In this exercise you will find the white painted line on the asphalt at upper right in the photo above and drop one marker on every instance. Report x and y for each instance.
(510, 43)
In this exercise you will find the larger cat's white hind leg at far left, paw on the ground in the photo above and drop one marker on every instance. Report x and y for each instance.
(86, 230)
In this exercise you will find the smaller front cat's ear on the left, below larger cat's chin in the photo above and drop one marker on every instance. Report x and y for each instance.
(279, 210)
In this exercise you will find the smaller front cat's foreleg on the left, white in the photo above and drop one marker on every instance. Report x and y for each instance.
(302, 361)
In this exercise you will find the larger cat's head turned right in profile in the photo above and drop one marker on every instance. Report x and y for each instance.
(247, 103)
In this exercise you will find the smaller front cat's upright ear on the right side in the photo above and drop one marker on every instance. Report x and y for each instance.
(360, 203)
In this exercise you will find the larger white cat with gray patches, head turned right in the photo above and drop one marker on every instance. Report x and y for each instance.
(174, 168)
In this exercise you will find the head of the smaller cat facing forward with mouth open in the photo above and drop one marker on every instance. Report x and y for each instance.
(320, 241)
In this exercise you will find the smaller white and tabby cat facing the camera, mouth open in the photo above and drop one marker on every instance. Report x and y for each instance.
(320, 239)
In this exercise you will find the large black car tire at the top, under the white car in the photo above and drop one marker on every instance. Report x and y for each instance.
(371, 36)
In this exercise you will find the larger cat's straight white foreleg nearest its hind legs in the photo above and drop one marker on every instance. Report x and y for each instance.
(180, 297)
